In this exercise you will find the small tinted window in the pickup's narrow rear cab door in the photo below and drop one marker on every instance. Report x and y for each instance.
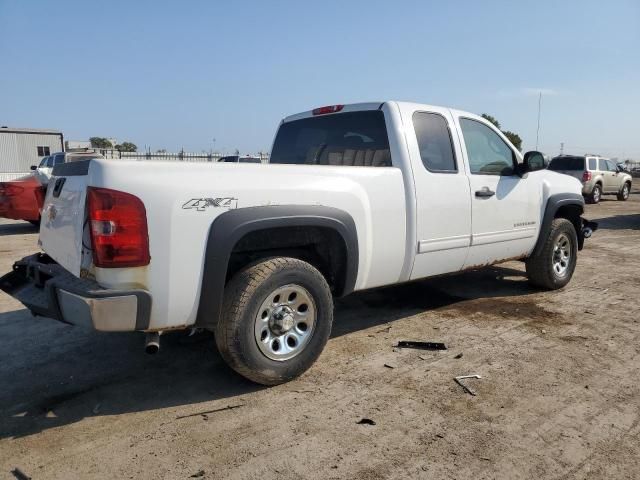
(434, 142)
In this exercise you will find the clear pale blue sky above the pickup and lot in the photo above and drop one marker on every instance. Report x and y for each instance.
(179, 74)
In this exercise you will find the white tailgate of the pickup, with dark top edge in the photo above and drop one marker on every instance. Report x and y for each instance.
(63, 215)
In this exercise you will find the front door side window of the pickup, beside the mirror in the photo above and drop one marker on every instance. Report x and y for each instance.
(488, 153)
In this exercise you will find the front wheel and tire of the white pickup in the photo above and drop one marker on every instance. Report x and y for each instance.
(547, 269)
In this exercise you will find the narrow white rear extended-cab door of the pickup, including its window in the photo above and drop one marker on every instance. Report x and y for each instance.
(443, 206)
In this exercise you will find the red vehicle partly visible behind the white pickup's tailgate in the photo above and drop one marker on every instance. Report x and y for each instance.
(22, 199)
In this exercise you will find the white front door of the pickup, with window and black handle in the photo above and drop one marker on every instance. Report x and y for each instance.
(505, 208)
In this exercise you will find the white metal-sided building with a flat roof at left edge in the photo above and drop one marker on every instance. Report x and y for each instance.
(22, 147)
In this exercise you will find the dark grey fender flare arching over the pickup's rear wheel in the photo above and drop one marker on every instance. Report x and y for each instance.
(228, 228)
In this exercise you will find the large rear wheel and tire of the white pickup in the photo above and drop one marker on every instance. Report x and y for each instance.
(258, 307)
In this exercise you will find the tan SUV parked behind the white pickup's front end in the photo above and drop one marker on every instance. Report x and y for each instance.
(599, 175)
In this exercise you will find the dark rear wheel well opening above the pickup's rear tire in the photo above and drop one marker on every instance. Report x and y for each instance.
(322, 247)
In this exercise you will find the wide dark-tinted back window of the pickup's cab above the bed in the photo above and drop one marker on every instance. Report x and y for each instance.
(340, 139)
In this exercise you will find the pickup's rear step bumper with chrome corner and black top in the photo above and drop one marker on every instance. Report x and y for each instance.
(48, 290)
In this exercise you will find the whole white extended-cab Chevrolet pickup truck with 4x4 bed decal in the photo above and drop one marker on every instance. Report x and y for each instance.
(355, 197)
